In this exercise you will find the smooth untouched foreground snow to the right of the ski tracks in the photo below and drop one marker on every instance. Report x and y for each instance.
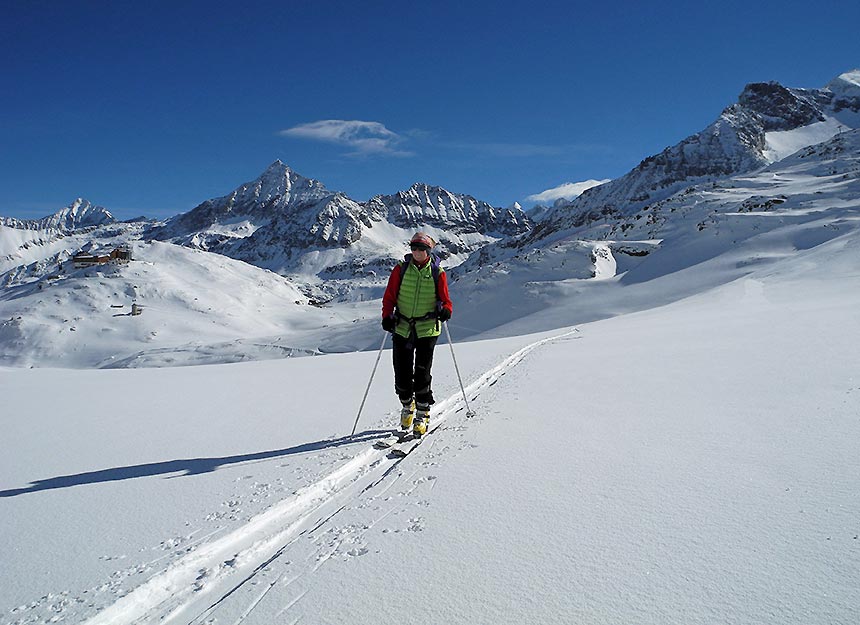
(697, 463)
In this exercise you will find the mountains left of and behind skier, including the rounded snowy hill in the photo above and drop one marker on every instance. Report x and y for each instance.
(203, 306)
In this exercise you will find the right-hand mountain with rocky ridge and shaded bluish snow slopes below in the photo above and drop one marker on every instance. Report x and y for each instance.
(777, 156)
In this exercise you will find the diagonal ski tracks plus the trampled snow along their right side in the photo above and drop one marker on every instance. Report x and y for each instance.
(231, 576)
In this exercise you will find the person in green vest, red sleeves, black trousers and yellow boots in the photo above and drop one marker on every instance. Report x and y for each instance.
(415, 304)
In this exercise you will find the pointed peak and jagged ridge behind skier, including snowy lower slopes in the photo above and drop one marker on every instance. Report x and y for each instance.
(336, 247)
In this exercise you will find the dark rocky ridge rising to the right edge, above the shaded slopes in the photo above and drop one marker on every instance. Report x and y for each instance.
(767, 123)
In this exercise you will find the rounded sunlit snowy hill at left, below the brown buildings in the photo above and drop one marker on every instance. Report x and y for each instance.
(197, 308)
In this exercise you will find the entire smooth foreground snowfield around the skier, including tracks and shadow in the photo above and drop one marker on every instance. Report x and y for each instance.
(695, 461)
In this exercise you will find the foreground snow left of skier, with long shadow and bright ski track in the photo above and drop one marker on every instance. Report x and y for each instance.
(197, 553)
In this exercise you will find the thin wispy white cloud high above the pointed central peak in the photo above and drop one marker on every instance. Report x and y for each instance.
(364, 138)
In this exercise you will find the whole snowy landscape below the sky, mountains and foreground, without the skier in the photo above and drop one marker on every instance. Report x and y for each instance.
(663, 375)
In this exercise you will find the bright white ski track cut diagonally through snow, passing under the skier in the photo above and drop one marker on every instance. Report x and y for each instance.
(197, 585)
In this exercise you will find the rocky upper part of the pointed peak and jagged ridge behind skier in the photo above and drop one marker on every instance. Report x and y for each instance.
(303, 214)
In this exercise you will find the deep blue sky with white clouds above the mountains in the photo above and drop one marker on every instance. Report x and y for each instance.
(151, 108)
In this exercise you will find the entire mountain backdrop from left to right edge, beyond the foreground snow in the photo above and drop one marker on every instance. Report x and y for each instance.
(792, 158)
